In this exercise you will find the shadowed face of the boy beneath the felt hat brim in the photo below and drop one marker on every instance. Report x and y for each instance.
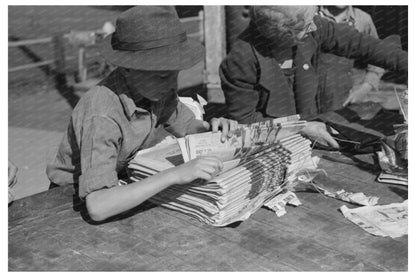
(153, 85)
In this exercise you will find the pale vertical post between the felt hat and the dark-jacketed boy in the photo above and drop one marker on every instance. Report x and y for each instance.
(214, 38)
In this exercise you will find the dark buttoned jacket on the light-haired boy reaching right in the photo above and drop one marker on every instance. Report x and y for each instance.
(256, 88)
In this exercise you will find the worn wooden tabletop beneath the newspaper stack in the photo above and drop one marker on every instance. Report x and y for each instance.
(50, 231)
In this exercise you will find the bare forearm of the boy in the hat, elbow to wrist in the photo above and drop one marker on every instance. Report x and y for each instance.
(105, 203)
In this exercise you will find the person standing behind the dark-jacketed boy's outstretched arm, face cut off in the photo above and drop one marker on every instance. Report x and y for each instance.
(339, 82)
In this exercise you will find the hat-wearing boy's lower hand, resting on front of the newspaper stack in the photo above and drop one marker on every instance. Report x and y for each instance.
(205, 167)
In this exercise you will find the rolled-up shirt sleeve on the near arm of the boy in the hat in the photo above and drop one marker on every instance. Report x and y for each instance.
(99, 151)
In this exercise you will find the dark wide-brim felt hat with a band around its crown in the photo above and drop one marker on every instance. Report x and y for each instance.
(151, 38)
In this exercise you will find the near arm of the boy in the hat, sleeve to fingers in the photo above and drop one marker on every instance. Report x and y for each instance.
(98, 183)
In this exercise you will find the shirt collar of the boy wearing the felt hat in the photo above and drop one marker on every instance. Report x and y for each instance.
(115, 82)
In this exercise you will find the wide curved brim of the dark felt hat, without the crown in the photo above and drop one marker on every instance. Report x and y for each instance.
(173, 57)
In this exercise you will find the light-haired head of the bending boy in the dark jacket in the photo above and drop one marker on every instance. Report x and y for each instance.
(285, 25)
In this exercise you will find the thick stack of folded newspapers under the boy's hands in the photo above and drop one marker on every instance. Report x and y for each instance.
(260, 160)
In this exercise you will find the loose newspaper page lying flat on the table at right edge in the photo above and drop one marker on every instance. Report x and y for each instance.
(385, 221)
